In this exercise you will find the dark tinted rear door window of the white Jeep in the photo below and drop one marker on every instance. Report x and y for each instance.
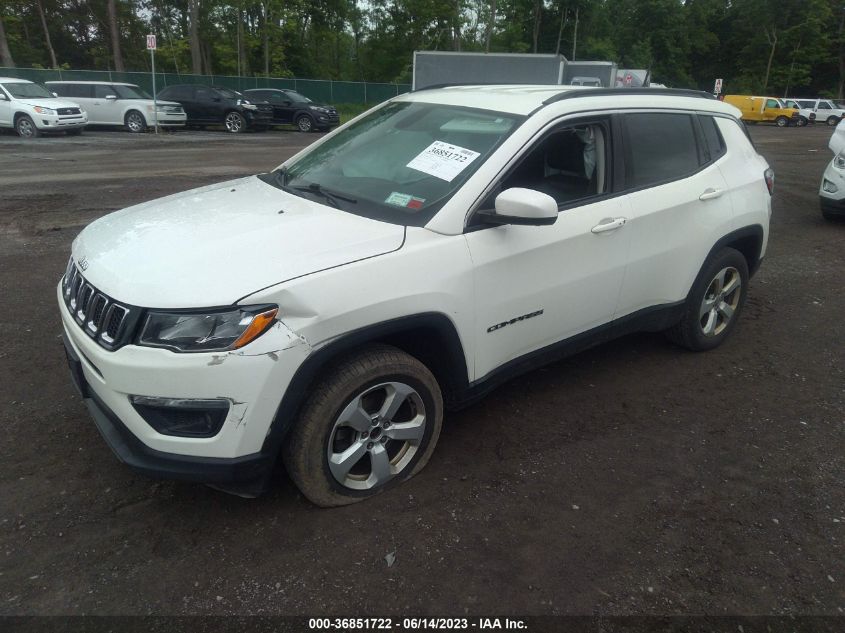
(659, 147)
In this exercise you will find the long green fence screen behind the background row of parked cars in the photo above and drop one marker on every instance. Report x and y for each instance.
(326, 91)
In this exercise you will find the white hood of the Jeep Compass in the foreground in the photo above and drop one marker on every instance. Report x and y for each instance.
(212, 246)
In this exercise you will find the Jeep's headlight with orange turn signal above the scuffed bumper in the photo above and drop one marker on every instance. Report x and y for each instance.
(208, 331)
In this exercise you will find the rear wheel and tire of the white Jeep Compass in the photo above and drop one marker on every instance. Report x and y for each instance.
(710, 314)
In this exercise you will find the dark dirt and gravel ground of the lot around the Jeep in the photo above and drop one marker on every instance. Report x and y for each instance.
(635, 478)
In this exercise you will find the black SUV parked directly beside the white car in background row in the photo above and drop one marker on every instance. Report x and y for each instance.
(210, 105)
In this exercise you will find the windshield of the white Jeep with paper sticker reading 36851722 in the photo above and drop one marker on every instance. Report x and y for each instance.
(401, 163)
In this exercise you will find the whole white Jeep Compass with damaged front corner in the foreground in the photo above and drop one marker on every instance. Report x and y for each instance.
(407, 263)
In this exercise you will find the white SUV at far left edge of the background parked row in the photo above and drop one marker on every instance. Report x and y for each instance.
(31, 110)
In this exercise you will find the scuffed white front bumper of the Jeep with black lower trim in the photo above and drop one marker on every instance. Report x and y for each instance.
(253, 378)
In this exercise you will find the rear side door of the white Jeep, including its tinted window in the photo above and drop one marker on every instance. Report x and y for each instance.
(680, 204)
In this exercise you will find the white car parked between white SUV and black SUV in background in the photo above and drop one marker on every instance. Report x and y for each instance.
(109, 103)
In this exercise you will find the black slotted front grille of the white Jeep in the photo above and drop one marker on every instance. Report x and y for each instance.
(97, 314)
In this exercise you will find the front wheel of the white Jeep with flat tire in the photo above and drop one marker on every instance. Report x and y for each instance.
(349, 413)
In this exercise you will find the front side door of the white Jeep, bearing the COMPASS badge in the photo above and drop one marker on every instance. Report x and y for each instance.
(536, 286)
